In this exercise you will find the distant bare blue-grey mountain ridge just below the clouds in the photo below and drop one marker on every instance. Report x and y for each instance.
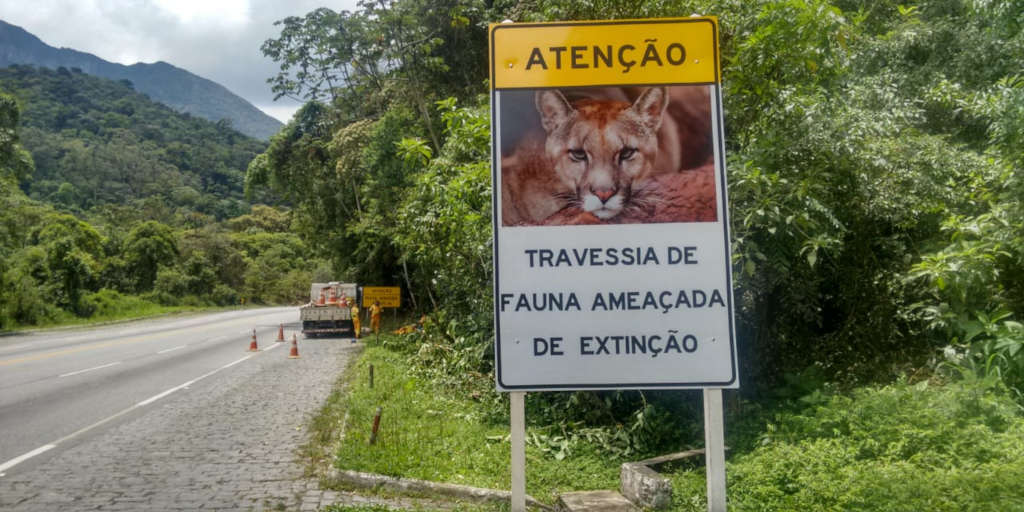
(173, 87)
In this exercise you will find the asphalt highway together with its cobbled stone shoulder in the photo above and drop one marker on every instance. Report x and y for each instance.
(169, 415)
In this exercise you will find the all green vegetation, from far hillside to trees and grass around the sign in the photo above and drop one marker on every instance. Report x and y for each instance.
(875, 179)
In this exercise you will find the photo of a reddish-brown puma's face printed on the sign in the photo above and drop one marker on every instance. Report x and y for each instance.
(607, 156)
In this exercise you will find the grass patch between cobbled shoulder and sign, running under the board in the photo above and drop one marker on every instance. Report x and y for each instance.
(440, 435)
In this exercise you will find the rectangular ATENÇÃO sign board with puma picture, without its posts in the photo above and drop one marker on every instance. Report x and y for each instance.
(611, 221)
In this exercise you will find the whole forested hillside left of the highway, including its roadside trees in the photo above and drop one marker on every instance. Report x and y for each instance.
(112, 205)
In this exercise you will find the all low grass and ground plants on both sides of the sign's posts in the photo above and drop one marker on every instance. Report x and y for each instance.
(927, 446)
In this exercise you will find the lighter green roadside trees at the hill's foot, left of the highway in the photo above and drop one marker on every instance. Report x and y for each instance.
(59, 270)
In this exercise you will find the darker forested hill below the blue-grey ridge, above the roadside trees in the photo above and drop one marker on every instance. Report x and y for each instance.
(97, 142)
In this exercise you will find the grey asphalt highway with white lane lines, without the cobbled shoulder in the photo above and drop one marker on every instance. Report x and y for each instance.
(59, 389)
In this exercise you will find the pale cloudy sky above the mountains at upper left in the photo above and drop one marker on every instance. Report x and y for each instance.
(216, 39)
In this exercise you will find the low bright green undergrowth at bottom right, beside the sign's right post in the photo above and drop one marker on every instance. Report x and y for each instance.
(898, 448)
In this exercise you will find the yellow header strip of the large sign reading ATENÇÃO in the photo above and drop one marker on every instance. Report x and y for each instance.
(615, 53)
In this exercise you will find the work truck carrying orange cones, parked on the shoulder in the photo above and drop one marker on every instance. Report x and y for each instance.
(329, 312)
